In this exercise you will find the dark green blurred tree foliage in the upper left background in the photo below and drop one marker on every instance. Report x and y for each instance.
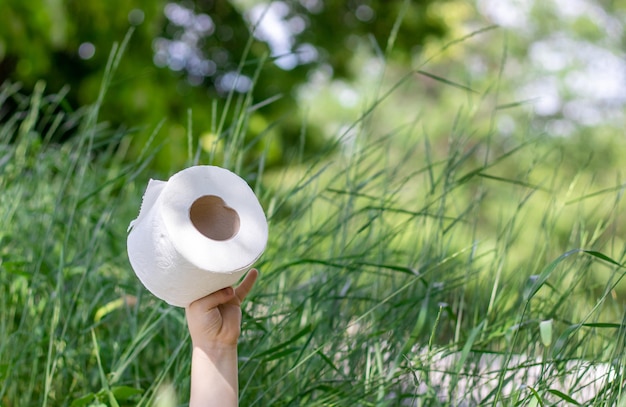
(186, 56)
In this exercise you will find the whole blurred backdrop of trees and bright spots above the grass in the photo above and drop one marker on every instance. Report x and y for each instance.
(306, 63)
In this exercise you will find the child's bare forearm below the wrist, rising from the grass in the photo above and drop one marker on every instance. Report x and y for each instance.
(214, 378)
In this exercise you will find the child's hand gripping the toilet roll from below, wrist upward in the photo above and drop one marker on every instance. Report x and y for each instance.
(215, 320)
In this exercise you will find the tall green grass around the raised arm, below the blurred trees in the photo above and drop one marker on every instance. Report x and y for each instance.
(403, 267)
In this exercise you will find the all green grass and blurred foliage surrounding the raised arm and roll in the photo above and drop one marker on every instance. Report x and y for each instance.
(444, 201)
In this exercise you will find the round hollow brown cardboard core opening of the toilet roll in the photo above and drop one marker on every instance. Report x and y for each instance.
(213, 218)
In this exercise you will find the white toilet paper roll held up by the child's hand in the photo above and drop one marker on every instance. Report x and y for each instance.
(195, 234)
